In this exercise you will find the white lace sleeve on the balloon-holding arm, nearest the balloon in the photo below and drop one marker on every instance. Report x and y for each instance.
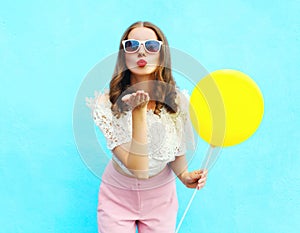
(186, 138)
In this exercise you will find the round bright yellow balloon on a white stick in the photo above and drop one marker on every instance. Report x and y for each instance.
(226, 107)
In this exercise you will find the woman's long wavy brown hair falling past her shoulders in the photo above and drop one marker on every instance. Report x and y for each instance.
(165, 87)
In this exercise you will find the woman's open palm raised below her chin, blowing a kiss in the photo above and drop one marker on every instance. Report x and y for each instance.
(137, 99)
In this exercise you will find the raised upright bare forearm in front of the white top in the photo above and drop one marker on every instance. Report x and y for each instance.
(137, 160)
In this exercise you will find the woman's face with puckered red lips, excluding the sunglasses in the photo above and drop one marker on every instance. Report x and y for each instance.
(142, 62)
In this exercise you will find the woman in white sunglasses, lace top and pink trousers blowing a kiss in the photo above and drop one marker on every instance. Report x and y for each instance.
(145, 120)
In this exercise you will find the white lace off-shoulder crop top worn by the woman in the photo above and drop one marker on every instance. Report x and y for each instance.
(169, 135)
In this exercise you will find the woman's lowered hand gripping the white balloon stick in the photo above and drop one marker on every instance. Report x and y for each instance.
(195, 179)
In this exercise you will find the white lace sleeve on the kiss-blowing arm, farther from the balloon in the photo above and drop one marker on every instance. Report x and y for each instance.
(116, 130)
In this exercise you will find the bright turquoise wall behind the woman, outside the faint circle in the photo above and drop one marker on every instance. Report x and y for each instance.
(47, 48)
